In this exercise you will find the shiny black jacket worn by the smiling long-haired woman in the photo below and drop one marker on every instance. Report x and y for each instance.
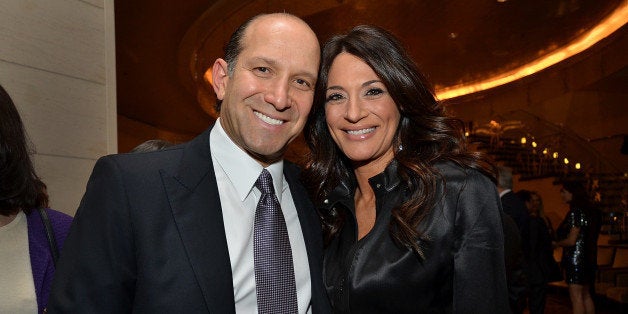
(463, 270)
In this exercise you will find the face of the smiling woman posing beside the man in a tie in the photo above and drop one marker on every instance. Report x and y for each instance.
(360, 113)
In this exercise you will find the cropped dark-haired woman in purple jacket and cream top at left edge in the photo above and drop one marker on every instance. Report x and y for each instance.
(25, 254)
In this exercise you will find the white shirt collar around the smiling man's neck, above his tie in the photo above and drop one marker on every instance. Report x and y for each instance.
(240, 168)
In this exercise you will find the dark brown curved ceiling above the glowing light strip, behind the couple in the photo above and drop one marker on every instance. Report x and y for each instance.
(164, 47)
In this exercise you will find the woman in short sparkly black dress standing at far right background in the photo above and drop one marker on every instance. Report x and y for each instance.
(577, 234)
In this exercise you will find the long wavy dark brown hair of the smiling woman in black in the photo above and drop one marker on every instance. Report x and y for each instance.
(425, 134)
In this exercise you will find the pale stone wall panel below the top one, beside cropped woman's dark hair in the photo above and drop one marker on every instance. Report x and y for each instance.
(64, 116)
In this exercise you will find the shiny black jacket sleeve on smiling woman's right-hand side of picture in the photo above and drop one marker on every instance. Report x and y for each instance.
(479, 270)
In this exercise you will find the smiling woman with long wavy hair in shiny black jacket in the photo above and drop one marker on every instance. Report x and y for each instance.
(412, 220)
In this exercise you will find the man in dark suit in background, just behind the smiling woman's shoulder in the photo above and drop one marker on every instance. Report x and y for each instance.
(516, 222)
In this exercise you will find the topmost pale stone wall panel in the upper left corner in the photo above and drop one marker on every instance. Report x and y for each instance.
(60, 36)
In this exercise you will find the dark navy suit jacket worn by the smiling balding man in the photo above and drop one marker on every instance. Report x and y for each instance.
(149, 237)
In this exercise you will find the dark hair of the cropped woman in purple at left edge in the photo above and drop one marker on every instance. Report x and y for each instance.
(20, 187)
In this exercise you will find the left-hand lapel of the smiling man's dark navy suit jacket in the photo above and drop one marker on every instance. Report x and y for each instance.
(195, 204)
